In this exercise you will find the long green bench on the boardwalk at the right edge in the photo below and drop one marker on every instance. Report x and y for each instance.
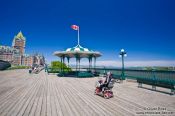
(165, 83)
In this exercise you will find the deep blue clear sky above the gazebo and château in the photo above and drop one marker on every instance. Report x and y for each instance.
(144, 28)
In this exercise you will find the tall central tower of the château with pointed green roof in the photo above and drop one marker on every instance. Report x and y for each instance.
(19, 42)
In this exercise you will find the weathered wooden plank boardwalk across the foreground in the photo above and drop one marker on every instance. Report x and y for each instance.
(23, 94)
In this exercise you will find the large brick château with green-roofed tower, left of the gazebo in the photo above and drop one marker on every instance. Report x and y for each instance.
(16, 54)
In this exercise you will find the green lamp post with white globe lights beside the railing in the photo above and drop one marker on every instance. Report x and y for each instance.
(122, 54)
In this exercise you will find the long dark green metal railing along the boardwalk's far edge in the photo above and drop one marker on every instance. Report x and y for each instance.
(128, 73)
